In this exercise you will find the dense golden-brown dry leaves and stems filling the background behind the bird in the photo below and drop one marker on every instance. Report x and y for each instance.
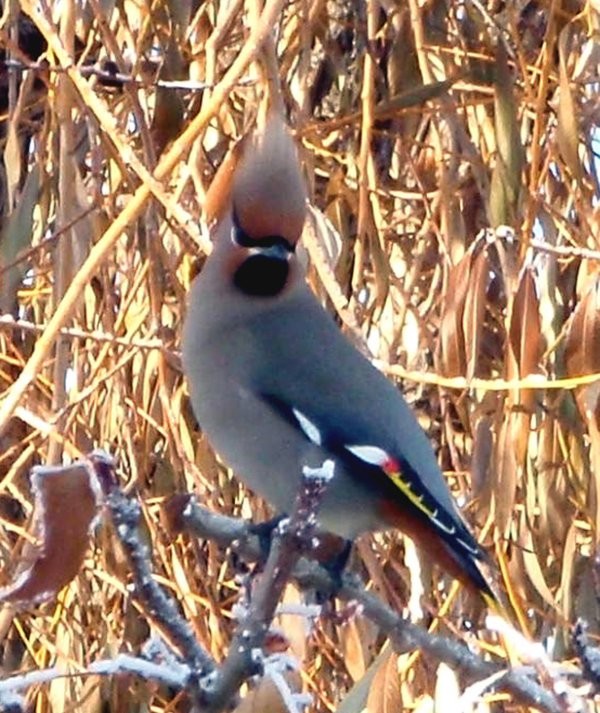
(451, 151)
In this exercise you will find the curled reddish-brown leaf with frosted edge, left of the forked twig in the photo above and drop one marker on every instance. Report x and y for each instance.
(66, 503)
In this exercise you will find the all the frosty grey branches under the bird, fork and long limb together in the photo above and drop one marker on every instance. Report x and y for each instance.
(212, 687)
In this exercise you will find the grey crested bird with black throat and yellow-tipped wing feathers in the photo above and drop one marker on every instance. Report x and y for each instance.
(277, 387)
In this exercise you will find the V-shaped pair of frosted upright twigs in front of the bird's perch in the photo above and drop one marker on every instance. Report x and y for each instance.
(210, 685)
